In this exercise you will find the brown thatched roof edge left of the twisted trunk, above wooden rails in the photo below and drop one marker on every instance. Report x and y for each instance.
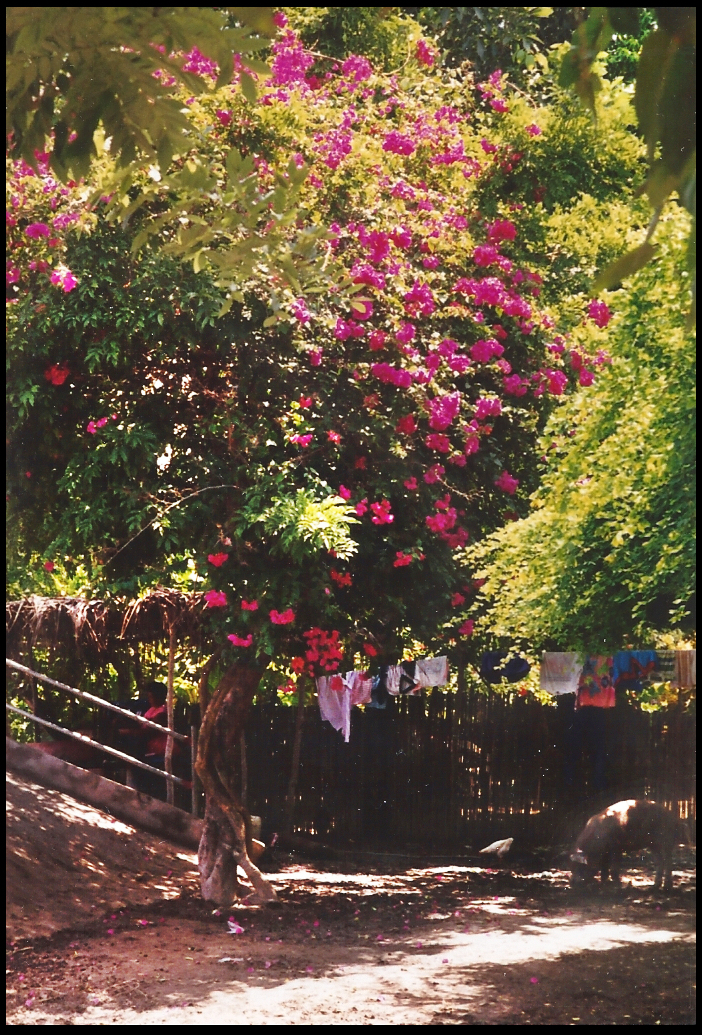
(95, 629)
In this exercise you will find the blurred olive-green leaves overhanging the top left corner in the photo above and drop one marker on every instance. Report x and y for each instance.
(72, 69)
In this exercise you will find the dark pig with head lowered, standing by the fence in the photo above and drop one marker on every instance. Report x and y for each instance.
(628, 826)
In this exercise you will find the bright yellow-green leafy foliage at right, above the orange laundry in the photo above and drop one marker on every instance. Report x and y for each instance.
(608, 551)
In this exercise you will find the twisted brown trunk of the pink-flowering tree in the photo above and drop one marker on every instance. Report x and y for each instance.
(227, 829)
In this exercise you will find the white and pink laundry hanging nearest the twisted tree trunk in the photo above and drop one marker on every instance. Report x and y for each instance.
(339, 694)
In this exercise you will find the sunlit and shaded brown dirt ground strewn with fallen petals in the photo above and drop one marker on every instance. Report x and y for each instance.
(106, 927)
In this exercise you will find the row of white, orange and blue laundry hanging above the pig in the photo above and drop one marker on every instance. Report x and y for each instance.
(596, 677)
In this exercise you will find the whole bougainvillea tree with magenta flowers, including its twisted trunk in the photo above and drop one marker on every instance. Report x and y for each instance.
(317, 458)
